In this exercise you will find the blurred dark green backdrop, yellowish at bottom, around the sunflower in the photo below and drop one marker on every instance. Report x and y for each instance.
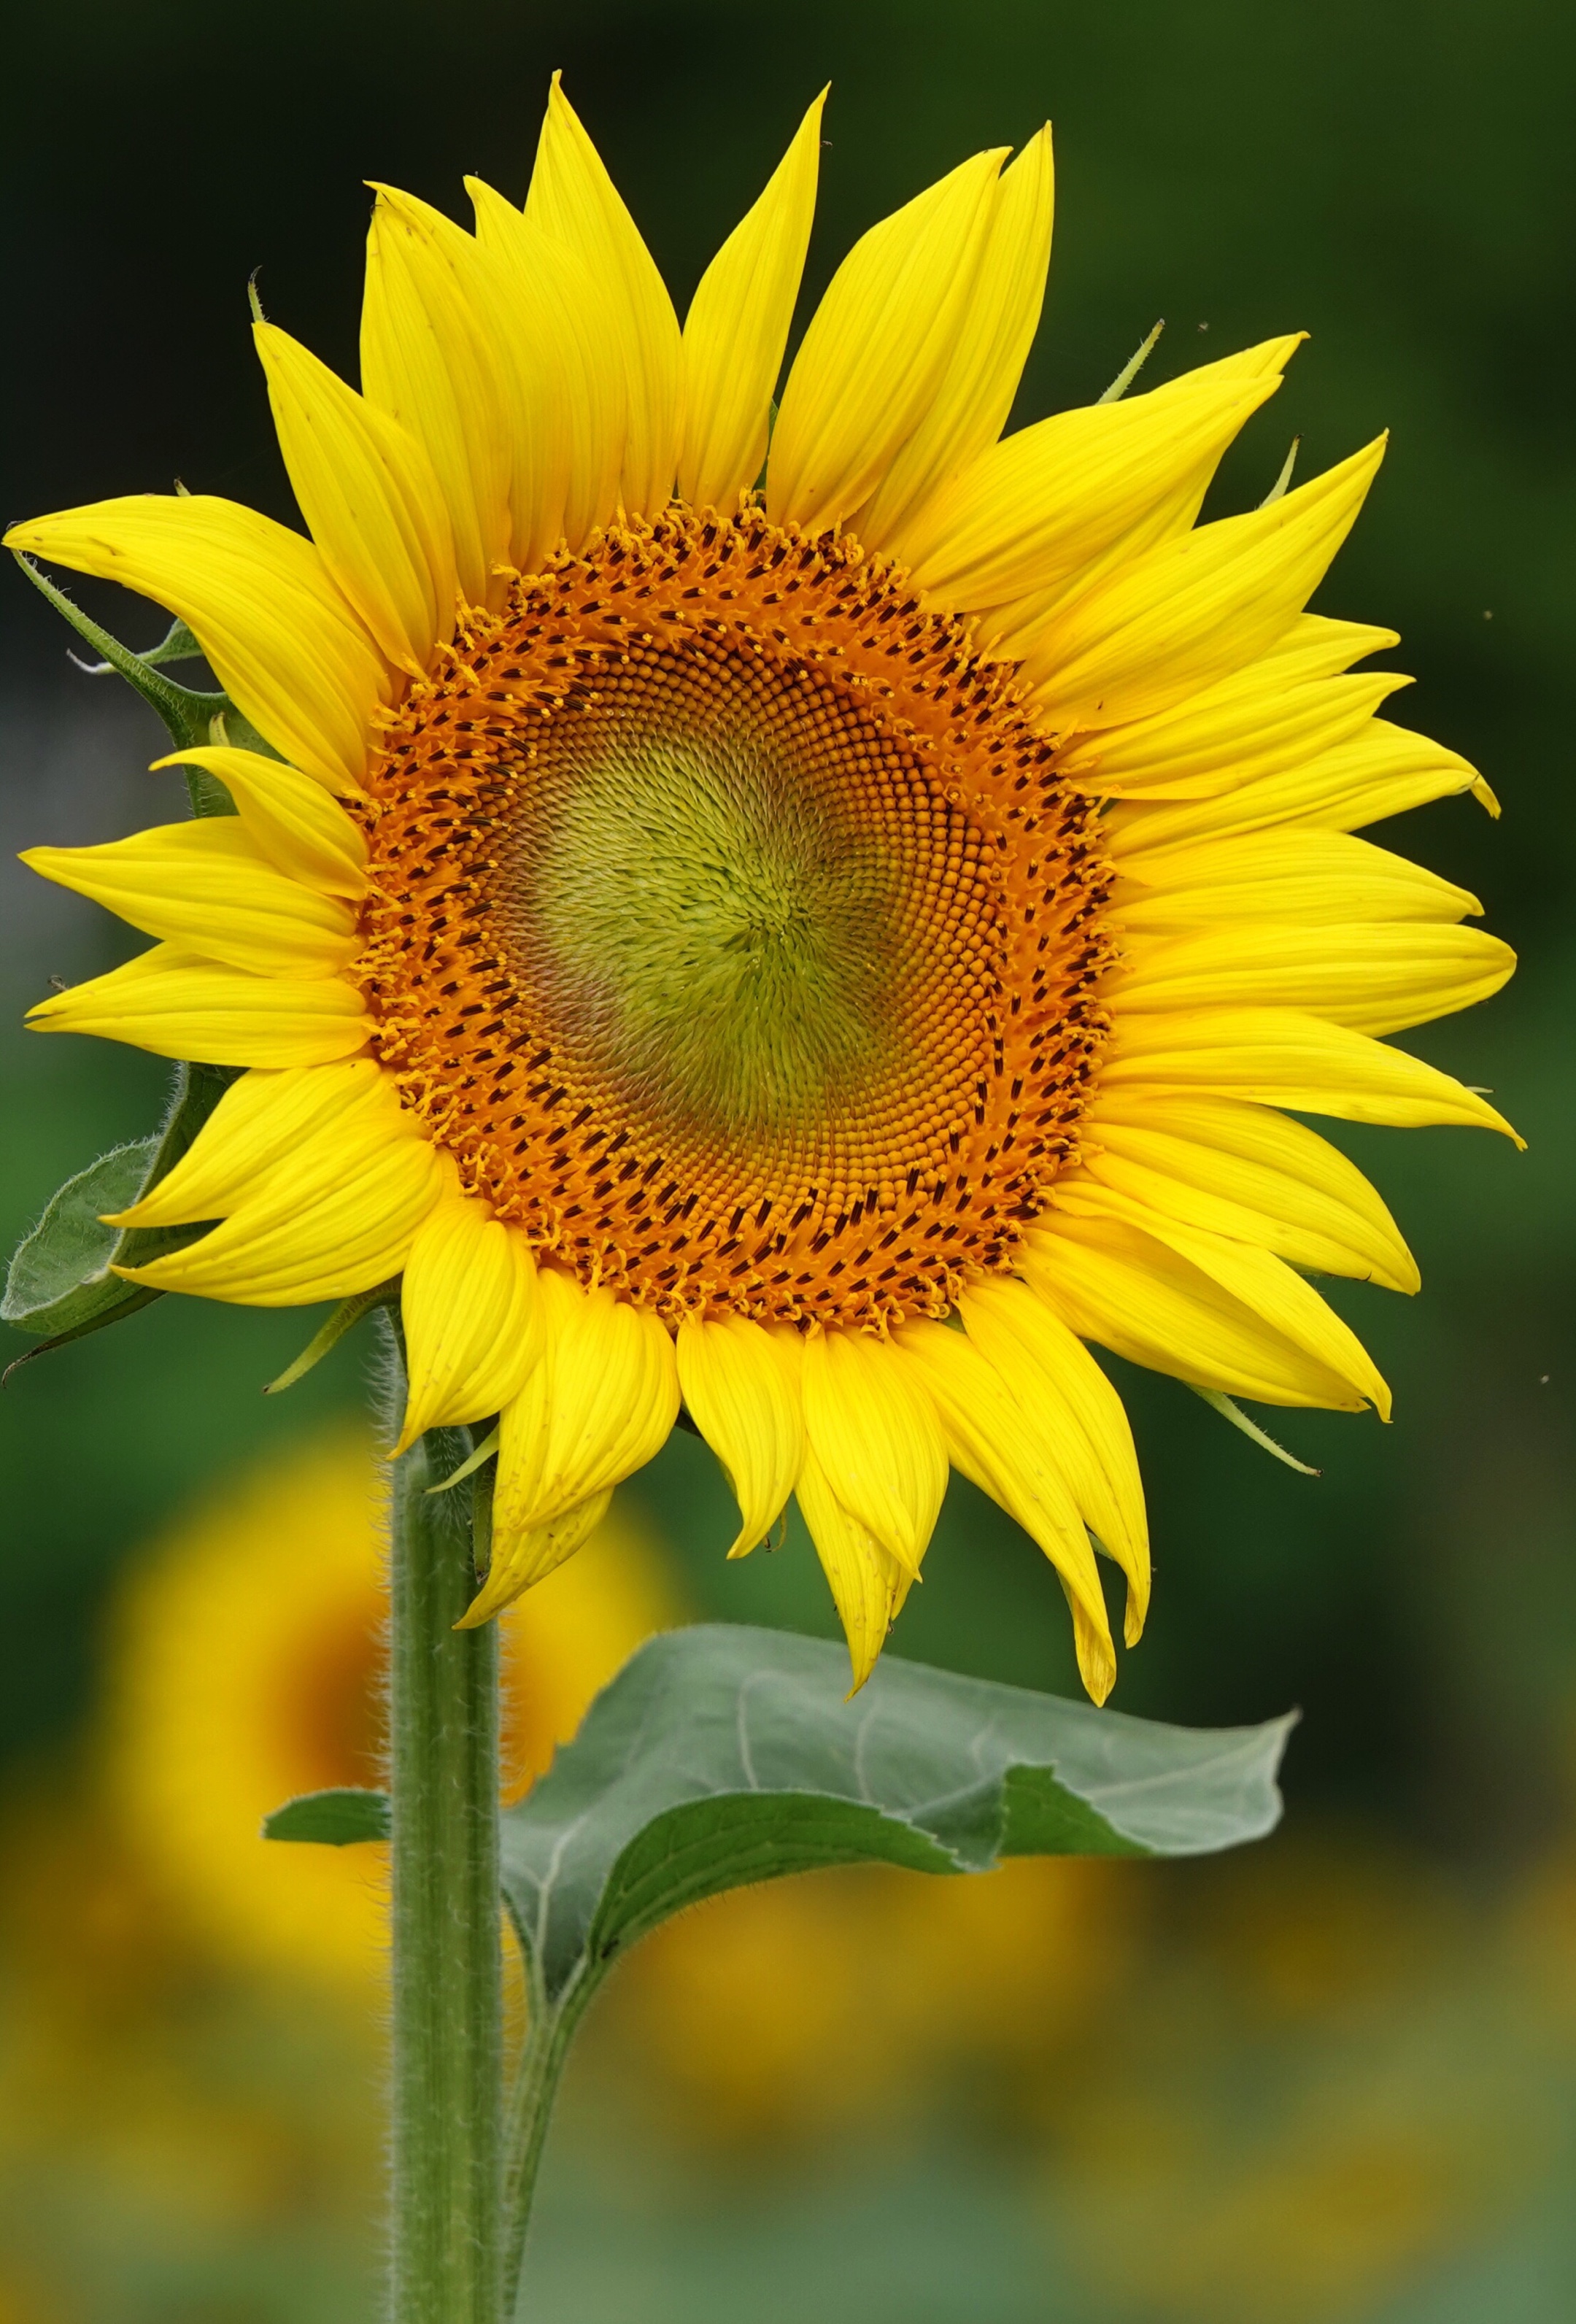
(1333, 2081)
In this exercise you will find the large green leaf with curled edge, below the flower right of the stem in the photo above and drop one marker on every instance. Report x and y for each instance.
(729, 1756)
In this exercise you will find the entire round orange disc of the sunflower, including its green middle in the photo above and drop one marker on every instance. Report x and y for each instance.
(733, 928)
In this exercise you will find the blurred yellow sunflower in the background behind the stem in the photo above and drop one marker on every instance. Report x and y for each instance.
(248, 1667)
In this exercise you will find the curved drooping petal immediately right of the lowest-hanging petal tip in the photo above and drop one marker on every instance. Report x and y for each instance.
(1056, 1379)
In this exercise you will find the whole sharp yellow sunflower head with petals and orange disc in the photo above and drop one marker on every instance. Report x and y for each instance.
(803, 914)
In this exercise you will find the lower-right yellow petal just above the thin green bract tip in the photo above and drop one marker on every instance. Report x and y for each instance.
(1154, 1305)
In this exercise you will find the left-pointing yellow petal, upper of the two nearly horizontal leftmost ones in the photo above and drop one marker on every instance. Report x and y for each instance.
(203, 884)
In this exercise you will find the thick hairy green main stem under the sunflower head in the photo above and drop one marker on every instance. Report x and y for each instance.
(447, 1923)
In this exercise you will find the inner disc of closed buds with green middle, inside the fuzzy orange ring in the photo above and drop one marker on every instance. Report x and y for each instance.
(745, 917)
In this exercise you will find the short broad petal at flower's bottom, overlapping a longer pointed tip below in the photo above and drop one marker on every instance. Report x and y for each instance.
(877, 1440)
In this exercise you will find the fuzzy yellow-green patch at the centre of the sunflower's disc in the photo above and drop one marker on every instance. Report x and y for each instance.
(715, 935)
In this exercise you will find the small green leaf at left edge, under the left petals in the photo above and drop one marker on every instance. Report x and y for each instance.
(59, 1282)
